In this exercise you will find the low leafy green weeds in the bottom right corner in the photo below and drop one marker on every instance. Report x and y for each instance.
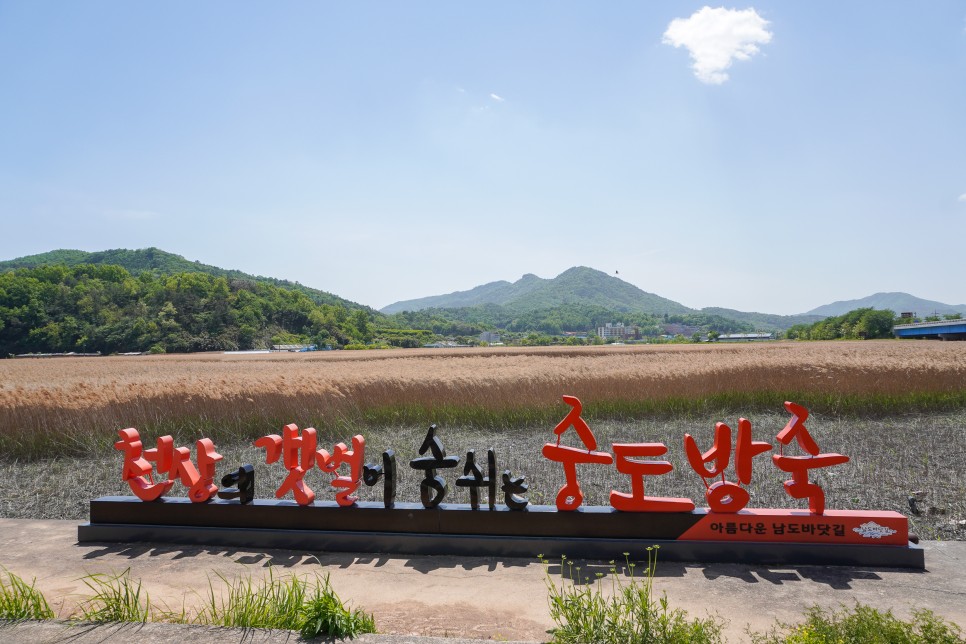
(862, 624)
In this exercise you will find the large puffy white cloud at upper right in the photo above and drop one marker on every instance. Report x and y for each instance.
(717, 37)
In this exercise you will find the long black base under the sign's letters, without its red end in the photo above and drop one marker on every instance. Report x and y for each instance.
(598, 533)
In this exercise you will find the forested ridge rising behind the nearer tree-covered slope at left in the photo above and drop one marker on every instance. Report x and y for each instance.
(159, 262)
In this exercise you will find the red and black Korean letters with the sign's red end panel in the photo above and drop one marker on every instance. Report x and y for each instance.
(726, 517)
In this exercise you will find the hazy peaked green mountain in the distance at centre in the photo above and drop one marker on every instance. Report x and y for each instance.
(578, 285)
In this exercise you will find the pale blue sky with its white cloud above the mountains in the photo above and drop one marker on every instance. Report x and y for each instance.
(770, 157)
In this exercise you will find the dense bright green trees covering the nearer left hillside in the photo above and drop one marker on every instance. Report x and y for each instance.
(90, 308)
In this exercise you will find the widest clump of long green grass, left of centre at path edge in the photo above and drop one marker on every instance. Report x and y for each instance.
(285, 603)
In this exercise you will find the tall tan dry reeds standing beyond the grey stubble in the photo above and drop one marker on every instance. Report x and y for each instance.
(227, 394)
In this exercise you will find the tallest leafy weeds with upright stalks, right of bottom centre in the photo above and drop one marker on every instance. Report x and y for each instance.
(627, 614)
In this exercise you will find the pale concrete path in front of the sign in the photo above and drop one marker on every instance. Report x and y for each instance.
(451, 597)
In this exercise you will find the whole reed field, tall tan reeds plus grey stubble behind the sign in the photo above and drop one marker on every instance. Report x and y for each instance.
(509, 399)
